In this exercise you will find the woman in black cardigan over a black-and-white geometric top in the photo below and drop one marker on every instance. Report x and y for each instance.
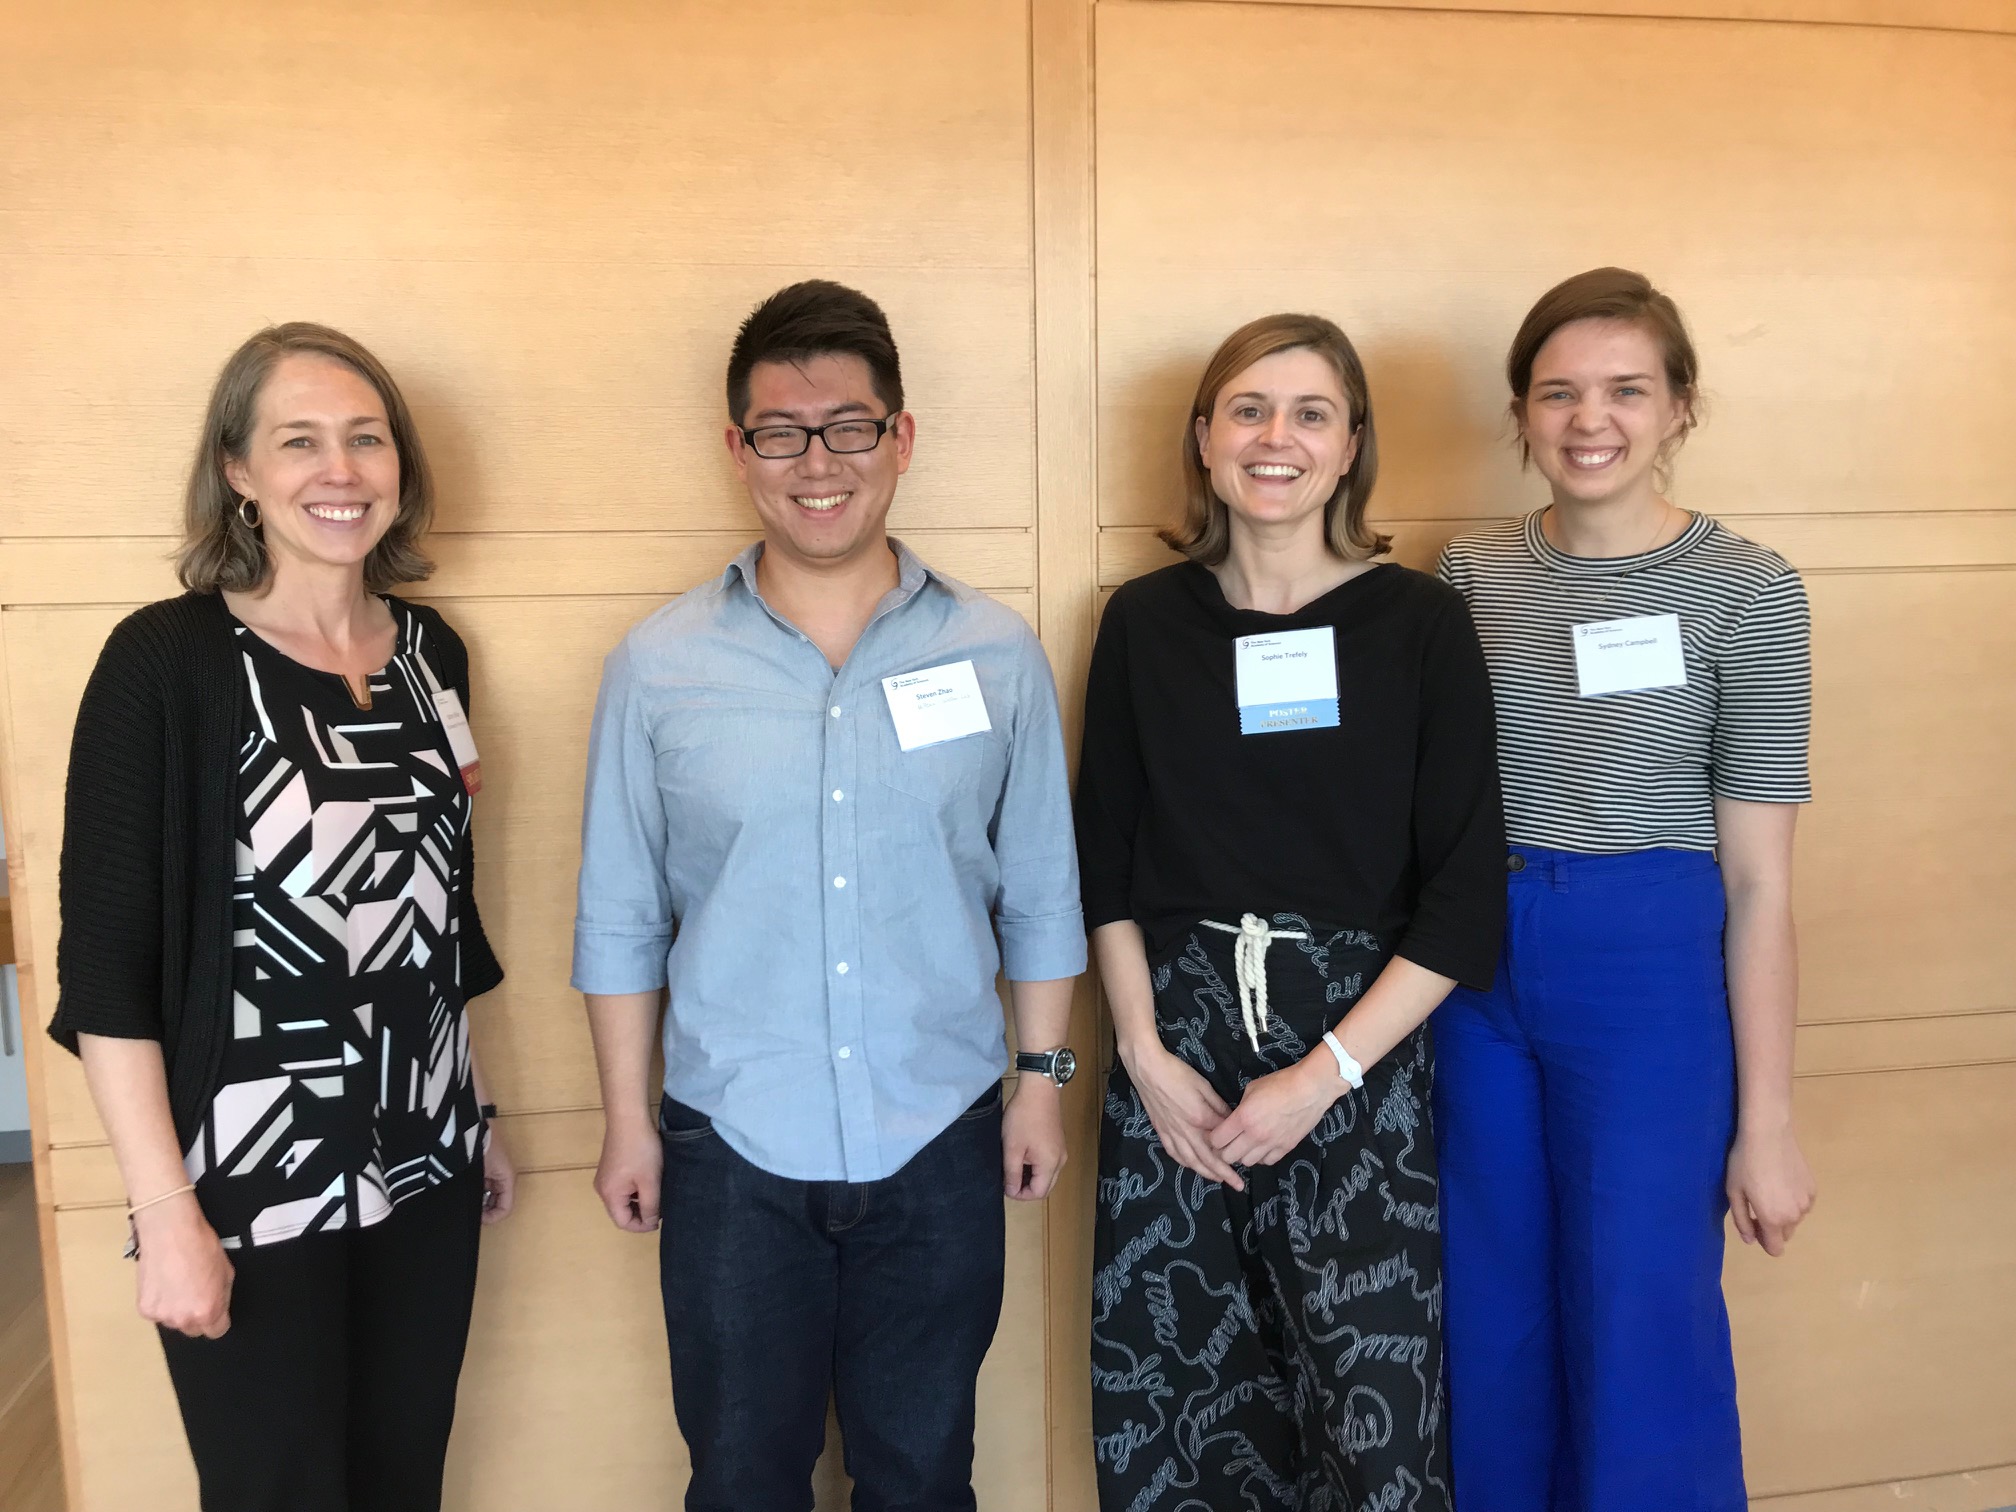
(269, 934)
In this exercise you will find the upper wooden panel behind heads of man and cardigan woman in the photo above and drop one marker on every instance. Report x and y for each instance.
(545, 221)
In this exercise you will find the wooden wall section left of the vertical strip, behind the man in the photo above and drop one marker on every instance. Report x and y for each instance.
(549, 227)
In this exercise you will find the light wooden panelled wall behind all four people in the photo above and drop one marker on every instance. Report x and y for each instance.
(547, 223)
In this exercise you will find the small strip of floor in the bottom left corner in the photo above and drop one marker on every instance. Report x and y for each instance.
(31, 1471)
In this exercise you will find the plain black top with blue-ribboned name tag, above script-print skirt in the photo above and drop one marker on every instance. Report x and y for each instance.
(1388, 822)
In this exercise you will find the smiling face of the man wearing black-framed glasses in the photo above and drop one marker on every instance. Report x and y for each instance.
(822, 509)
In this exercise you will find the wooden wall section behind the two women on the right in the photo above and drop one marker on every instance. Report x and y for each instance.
(1422, 174)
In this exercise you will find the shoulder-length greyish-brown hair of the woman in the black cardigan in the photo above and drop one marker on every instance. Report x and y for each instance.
(219, 549)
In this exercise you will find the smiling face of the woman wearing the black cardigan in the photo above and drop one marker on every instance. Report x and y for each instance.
(322, 465)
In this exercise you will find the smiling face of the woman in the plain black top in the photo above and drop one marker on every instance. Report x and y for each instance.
(1279, 440)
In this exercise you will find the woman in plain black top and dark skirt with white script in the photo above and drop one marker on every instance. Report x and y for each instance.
(1293, 850)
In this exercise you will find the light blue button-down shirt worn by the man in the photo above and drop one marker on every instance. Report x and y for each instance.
(828, 908)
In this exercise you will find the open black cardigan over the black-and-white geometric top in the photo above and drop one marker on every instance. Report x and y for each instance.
(148, 844)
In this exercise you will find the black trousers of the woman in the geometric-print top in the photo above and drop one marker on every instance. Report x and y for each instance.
(336, 1388)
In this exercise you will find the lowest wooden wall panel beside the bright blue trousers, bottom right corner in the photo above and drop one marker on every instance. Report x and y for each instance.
(1880, 1348)
